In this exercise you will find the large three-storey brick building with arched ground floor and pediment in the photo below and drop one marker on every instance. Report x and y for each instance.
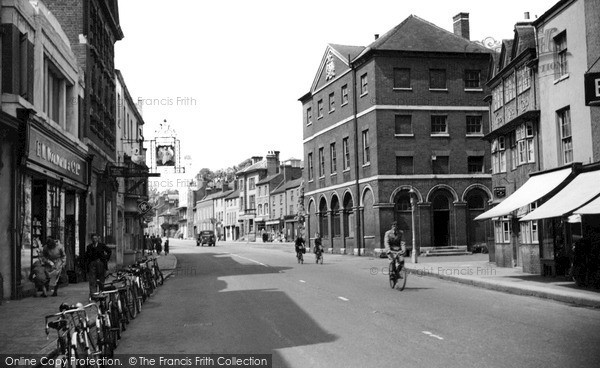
(401, 117)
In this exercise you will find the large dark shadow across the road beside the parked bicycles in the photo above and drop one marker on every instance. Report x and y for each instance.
(209, 308)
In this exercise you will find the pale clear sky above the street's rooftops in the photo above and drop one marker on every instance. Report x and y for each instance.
(226, 76)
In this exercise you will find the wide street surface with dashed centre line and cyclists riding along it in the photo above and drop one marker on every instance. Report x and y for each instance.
(255, 298)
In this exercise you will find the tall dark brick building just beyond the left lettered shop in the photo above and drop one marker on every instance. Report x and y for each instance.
(92, 28)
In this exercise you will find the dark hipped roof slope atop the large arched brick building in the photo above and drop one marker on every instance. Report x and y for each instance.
(417, 34)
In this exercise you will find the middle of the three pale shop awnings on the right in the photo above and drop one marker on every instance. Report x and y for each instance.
(577, 193)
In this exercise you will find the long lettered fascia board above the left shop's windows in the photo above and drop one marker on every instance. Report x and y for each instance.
(47, 153)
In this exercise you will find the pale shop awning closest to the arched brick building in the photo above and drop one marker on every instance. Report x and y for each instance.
(535, 188)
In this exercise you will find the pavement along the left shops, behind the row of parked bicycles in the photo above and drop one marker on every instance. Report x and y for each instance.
(22, 320)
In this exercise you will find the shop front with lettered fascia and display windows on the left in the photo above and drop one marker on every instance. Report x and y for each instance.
(54, 187)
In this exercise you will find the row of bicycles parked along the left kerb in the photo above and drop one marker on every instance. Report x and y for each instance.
(89, 334)
